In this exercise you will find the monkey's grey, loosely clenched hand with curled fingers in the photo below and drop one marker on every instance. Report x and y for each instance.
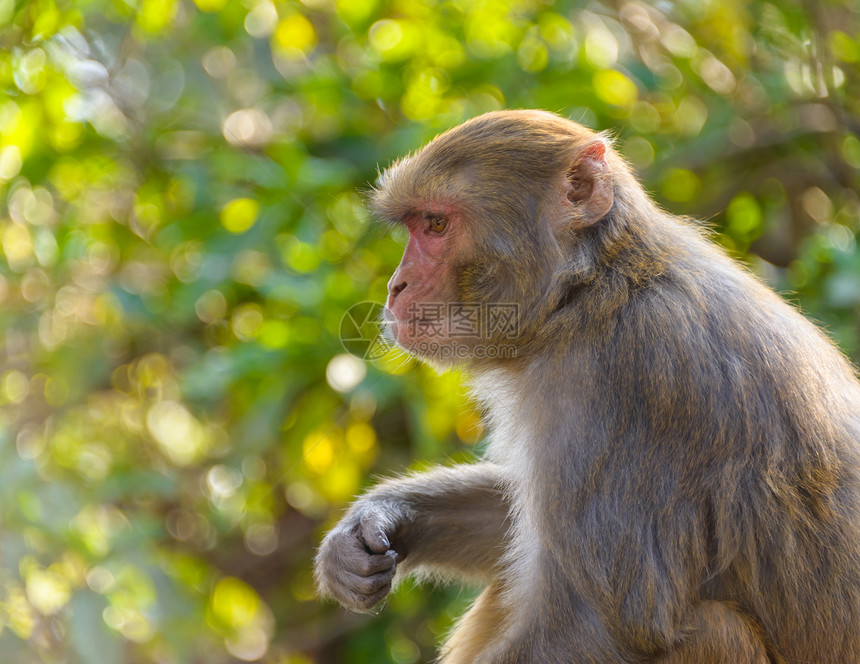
(356, 562)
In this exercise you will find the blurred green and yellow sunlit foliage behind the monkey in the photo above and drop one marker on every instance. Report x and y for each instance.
(182, 227)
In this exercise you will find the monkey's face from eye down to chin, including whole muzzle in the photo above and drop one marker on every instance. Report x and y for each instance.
(423, 314)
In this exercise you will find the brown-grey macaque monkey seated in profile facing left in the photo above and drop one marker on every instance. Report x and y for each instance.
(672, 473)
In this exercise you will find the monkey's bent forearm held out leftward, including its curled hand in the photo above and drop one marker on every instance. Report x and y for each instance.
(450, 521)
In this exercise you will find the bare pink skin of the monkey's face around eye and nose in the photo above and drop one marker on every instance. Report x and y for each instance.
(423, 284)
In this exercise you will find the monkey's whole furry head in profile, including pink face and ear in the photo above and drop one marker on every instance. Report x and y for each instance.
(497, 210)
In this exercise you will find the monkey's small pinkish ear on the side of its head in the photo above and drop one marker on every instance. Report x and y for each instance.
(589, 185)
